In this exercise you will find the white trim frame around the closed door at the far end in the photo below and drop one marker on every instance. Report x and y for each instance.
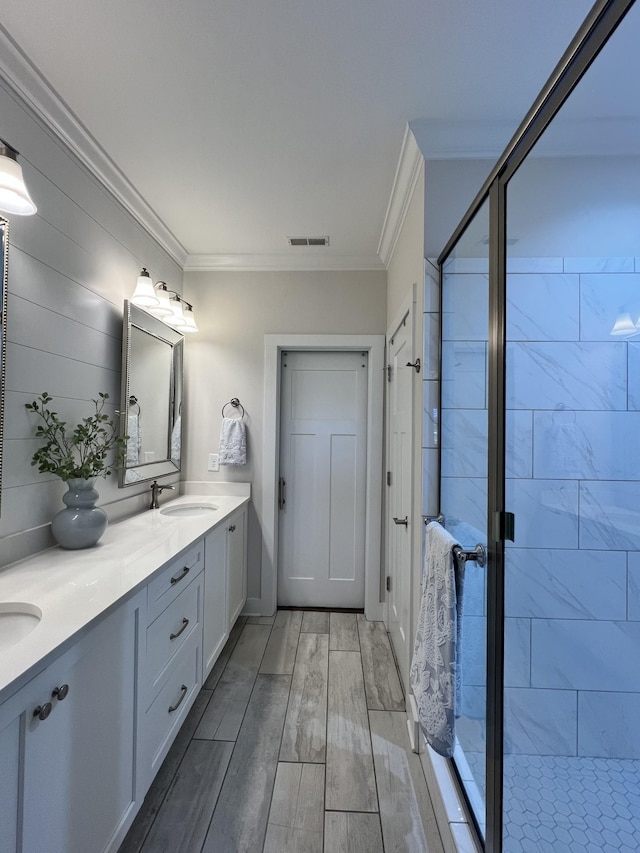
(274, 345)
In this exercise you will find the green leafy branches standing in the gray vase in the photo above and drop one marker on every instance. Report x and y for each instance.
(84, 451)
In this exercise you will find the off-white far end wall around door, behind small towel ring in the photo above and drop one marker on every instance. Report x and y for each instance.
(234, 311)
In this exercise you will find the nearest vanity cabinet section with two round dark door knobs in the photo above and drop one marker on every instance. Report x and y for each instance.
(67, 744)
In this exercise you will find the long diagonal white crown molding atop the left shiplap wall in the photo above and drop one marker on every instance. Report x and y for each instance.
(41, 99)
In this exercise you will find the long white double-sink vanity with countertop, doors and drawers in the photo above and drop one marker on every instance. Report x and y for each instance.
(81, 741)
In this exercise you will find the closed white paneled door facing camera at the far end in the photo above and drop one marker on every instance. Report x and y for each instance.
(323, 438)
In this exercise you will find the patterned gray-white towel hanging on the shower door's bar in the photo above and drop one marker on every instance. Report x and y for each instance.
(434, 668)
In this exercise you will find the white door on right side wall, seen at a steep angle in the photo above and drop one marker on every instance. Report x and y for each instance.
(400, 405)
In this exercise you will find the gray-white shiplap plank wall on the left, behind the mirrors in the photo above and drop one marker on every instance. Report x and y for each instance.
(70, 268)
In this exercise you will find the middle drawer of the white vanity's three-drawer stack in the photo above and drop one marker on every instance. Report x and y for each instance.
(169, 632)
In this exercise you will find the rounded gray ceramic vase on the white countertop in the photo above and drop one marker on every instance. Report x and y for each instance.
(81, 523)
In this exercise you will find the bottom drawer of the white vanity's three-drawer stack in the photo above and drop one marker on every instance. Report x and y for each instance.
(168, 710)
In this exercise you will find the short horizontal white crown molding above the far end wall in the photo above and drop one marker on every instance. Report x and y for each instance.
(282, 263)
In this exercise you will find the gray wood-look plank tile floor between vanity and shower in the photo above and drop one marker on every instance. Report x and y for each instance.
(297, 743)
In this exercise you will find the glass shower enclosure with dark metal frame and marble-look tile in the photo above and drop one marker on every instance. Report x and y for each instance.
(540, 460)
